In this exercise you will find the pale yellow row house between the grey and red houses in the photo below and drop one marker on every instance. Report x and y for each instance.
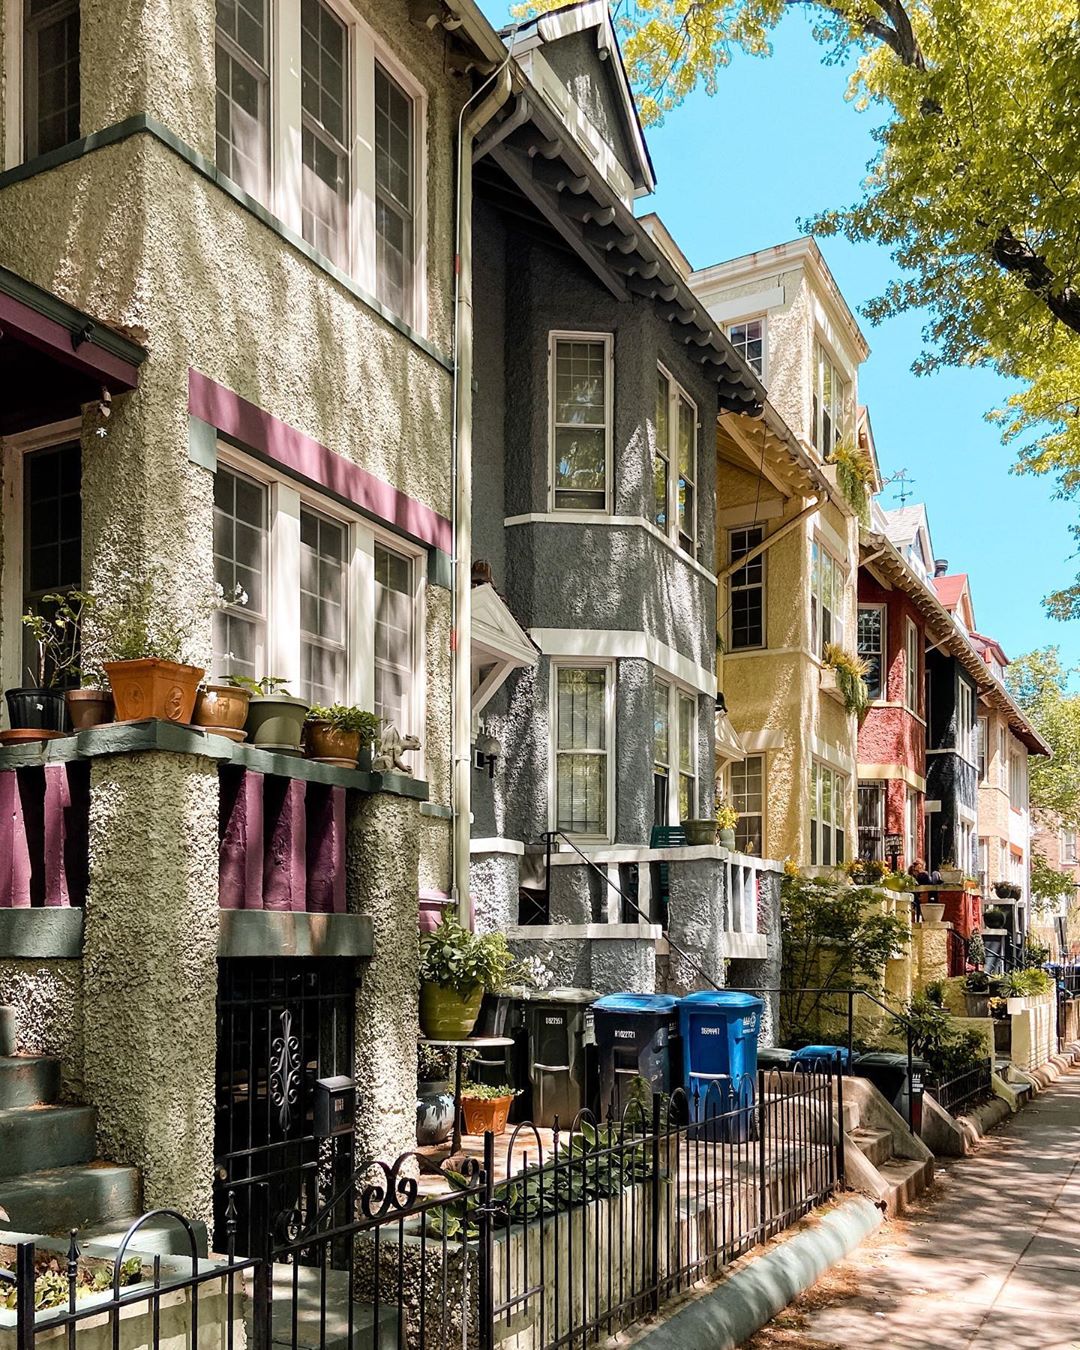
(788, 553)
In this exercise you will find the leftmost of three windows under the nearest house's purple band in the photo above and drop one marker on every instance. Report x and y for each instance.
(241, 534)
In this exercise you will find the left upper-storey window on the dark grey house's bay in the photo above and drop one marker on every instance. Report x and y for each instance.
(581, 414)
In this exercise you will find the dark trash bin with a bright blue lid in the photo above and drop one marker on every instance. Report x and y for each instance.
(638, 1036)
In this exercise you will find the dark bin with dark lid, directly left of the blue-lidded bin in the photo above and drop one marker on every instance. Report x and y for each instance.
(558, 1024)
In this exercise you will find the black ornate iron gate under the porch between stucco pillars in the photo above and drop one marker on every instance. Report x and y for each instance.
(283, 1025)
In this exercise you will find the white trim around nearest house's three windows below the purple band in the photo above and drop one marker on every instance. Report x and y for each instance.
(286, 499)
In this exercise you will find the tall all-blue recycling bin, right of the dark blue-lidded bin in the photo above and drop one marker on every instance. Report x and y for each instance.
(720, 1031)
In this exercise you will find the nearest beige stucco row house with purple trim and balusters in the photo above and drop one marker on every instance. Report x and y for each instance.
(227, 323)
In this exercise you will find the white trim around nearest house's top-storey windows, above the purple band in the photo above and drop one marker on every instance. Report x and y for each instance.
(287, 157)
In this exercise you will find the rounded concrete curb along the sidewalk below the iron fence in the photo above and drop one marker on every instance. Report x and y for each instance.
(731, 1313)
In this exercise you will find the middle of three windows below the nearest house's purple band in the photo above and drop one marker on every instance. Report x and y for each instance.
(323, 630)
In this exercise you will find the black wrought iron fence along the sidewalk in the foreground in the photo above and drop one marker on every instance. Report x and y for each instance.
(564, 1239)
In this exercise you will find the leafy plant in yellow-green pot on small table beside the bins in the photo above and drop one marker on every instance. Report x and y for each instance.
(456, 969)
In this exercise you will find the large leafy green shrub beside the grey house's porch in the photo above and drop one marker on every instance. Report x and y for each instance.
(835, 938)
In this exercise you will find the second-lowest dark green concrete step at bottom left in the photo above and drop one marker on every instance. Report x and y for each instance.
(56, 1201)
